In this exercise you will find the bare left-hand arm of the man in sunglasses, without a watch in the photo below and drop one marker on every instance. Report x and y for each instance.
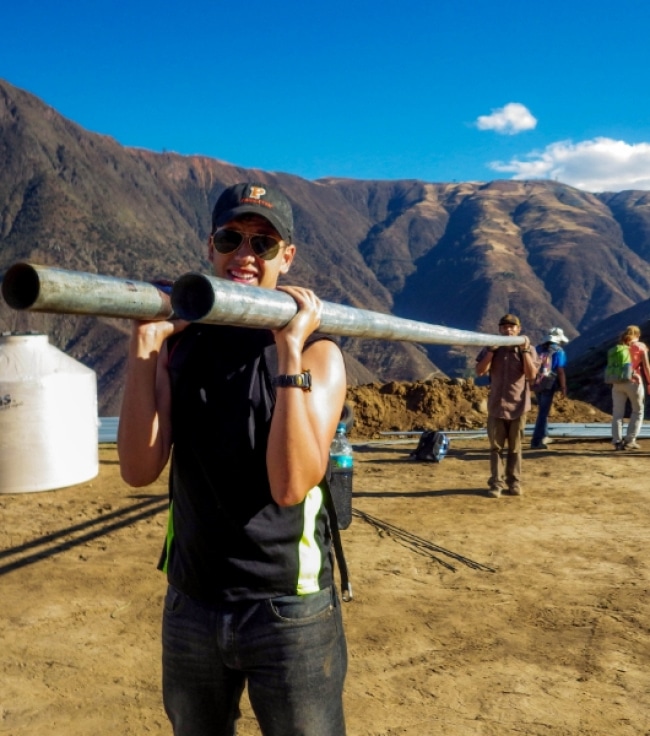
(144, 431)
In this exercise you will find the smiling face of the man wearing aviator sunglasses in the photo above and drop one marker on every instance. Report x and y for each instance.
(243, 265)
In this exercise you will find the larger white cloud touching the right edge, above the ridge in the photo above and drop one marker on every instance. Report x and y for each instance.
(598, 165)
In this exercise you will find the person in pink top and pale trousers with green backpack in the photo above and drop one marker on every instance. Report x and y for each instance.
(627, 365)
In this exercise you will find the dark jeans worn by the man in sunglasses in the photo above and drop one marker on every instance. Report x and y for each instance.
(290, 650)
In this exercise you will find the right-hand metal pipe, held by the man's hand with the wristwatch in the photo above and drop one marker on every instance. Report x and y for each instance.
(199, 298)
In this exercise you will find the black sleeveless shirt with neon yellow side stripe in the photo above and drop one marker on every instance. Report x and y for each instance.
(227, 538)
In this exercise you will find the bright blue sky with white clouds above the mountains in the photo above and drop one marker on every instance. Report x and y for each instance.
(437, 90)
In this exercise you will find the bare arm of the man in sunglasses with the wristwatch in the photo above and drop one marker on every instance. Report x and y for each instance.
(304, 422)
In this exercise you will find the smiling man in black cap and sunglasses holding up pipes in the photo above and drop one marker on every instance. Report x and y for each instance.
(247, 416)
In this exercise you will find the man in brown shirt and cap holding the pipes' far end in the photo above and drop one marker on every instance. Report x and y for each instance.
(511, 369)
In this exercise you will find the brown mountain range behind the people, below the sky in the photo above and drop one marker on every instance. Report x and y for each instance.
(452, 254)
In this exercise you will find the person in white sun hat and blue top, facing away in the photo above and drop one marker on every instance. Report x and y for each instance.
(548, 382)
